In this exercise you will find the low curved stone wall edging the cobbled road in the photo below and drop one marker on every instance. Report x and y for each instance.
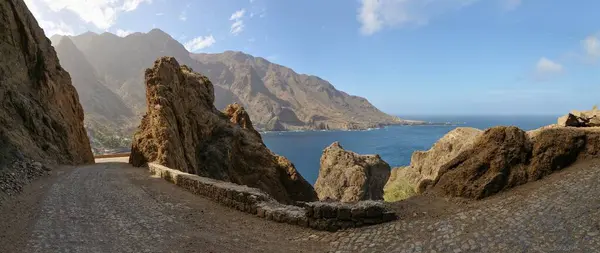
(330, 216)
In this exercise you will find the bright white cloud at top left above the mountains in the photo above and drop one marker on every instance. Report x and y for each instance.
(101, 13)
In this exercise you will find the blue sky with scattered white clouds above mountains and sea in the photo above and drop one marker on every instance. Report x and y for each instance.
(408, 57)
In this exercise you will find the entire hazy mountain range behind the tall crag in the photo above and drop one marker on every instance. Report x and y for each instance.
(107, 71)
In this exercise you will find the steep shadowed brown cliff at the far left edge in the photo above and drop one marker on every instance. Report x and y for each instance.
(40, 114)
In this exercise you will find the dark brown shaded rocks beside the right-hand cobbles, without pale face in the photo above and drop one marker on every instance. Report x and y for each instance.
(504, 157)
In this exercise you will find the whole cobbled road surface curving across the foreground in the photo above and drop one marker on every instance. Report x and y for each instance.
(116, 208)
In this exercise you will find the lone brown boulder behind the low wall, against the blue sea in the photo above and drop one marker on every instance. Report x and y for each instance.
(348, 177)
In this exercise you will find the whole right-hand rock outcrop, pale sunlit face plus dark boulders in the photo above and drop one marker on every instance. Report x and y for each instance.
(473, 164)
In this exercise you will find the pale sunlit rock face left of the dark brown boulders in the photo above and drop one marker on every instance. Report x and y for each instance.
(425, 165)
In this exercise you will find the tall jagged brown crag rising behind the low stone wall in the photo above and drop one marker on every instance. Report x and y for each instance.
(183, 130)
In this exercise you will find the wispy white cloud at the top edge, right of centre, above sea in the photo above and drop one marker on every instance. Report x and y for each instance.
(375, 15)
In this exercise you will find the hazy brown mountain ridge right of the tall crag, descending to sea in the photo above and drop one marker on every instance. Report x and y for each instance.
(279, 98)
